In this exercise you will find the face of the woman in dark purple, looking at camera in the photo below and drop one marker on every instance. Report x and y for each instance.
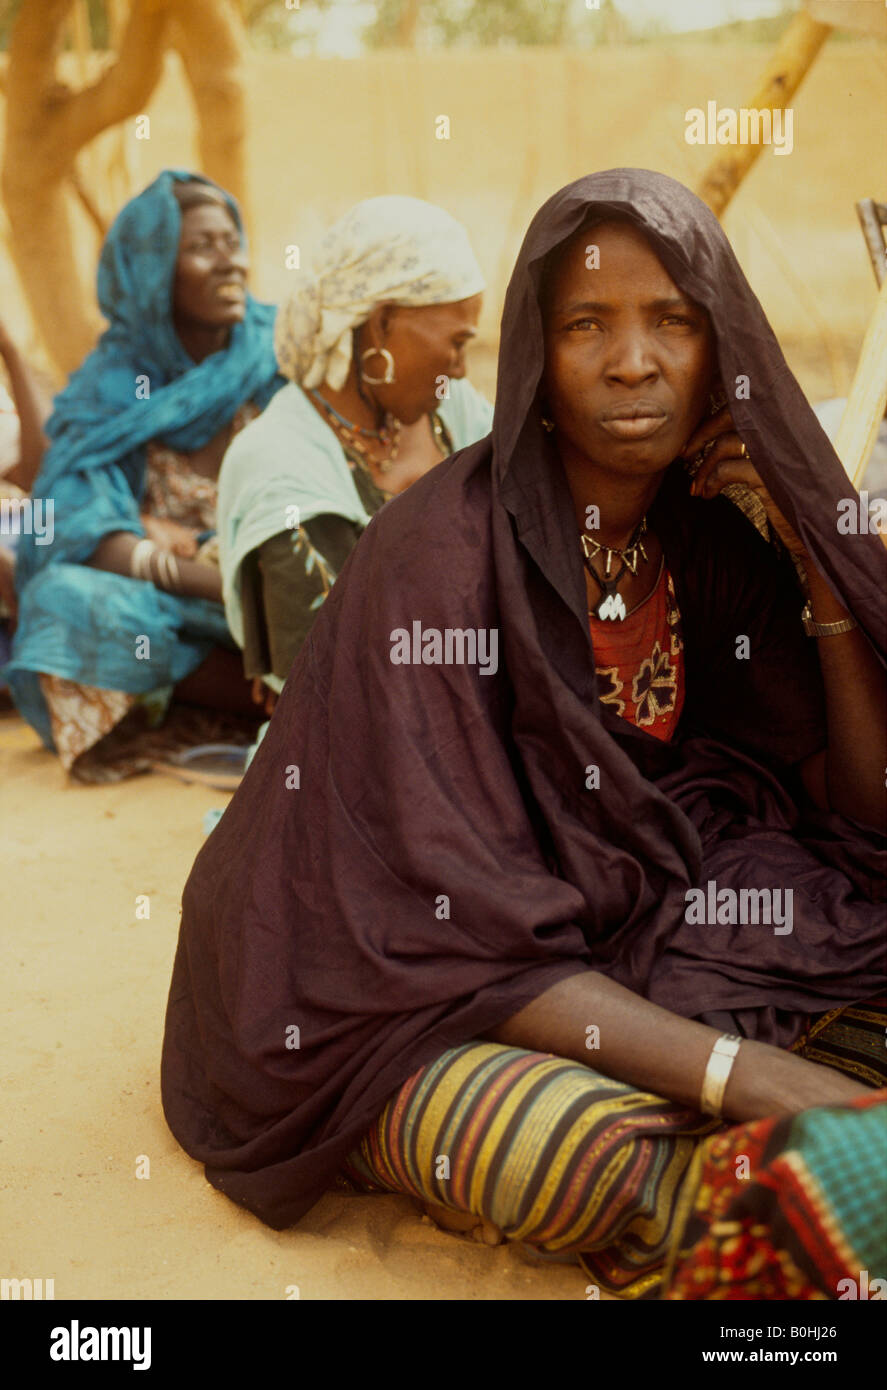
(629, 359)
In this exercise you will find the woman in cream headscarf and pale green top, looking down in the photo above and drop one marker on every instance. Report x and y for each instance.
(373, 344)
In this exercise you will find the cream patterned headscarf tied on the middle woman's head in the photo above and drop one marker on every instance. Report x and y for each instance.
(386, 250)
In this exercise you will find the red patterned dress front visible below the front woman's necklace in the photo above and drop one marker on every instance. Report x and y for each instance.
(640, 662)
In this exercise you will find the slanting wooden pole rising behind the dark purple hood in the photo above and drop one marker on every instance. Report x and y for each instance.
(789, 66)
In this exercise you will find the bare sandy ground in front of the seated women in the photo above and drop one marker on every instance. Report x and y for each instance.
(81, 1029)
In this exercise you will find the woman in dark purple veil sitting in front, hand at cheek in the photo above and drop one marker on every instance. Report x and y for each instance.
(565, 849)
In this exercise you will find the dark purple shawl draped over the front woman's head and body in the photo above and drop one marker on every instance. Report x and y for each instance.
(320, 908)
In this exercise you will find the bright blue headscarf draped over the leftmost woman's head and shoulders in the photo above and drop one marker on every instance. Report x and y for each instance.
(95, 466)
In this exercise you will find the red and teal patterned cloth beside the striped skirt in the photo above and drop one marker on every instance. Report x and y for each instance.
(789, 1209)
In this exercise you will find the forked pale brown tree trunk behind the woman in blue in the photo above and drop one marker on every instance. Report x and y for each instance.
(48, 124)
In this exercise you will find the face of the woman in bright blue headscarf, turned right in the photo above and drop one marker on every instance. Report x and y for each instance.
(211, 273)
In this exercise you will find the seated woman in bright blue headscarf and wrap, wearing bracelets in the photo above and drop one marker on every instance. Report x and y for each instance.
(120, 601)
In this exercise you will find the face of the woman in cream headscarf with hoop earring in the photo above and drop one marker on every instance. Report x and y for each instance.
(429, 348)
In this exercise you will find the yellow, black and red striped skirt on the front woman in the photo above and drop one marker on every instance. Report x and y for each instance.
(548, 1153)
